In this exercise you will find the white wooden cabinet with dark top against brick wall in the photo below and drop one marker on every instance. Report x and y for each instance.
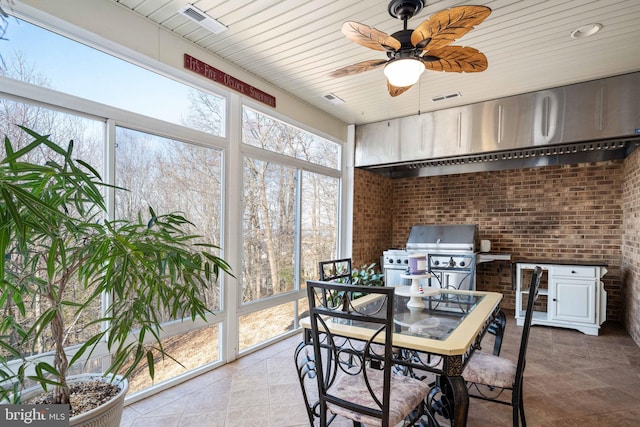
(570, 296)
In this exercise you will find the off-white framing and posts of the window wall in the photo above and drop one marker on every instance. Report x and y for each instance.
(233, 152)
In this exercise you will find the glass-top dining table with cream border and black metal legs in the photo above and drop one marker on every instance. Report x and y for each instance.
(448, 323)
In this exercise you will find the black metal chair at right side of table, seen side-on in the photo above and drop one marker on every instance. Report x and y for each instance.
(488, 375)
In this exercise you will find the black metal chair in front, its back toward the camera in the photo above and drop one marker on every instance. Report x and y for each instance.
(357, 382)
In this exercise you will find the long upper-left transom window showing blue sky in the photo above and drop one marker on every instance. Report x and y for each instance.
(39, 56)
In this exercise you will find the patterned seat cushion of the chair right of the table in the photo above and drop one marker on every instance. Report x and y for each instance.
(491, 370)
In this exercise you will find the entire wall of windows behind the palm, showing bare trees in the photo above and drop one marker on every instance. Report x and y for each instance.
(171, 144)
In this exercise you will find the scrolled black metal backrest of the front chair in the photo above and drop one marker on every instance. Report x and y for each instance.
(336, 356)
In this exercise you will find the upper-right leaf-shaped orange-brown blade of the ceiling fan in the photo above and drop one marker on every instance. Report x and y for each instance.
(445, 26)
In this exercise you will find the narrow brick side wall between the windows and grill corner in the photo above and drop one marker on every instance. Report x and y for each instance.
(372, 217)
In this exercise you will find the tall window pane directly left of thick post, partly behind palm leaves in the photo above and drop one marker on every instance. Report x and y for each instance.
(170, 176)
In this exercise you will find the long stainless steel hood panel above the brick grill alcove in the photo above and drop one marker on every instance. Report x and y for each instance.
(600, 109)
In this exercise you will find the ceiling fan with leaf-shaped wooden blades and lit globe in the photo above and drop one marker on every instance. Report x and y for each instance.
(410, 52)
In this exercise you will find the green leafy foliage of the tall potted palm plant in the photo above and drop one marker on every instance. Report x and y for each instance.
(55, 240)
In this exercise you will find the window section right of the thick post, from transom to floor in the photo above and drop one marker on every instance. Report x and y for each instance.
(290, 218)
